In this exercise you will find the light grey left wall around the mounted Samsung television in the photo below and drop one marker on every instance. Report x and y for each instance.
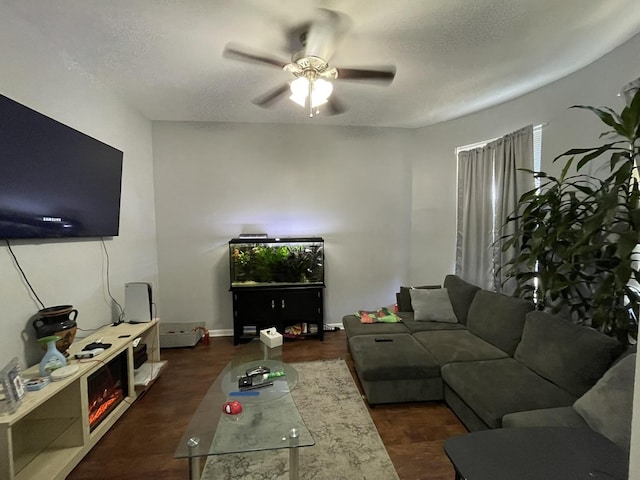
(73, 272)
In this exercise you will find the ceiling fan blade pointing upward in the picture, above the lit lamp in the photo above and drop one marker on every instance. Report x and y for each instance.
(325, 33)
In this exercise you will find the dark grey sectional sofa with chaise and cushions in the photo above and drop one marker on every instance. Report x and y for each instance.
(494, 361)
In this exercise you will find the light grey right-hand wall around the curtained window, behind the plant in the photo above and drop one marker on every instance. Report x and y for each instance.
(433, 231)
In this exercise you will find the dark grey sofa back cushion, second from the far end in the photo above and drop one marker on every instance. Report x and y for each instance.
(498, 319)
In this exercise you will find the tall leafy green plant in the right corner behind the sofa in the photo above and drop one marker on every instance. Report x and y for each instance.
(576, 235)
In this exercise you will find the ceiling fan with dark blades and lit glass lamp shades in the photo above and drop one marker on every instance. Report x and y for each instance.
(312, 85)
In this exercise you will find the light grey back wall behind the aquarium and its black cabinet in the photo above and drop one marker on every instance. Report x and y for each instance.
(215, 181)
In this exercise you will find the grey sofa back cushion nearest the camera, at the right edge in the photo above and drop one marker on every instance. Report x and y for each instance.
(608, 406)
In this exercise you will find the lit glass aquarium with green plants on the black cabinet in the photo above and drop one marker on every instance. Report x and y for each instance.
(276, 261)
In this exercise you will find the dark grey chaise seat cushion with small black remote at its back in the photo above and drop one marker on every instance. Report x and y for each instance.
(401, 358)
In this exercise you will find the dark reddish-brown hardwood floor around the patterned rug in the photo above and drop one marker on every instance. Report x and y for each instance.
(142, 443)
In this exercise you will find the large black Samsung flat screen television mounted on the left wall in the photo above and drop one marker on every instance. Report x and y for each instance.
(55, 181)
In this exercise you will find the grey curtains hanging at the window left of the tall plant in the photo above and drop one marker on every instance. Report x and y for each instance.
(489, 186)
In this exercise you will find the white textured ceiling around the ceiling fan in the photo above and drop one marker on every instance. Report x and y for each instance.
(453, 57)
